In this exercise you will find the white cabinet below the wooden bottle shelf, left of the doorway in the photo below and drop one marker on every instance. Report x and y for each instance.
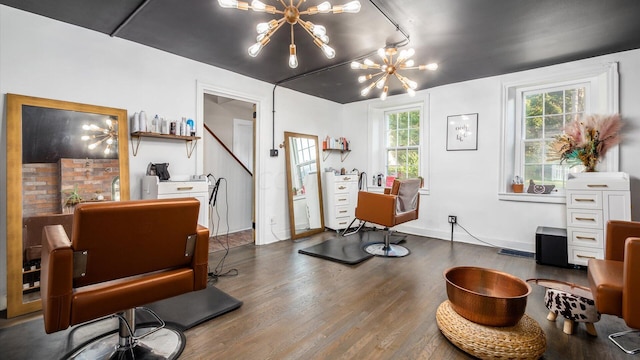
(152, 188)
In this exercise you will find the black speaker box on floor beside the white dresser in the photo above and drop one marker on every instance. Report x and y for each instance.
(551, 246)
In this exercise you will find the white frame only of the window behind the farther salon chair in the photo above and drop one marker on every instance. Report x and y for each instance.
(376, 134)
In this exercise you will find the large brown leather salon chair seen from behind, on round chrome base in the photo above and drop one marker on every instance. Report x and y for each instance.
(122, 255)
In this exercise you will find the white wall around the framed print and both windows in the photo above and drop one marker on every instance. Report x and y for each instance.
(465, 183)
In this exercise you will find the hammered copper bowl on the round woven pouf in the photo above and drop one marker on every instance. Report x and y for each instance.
(485, 296)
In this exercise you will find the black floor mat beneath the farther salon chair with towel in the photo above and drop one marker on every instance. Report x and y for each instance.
(349, 249)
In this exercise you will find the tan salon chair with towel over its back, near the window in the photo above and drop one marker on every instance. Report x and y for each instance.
(397, 205)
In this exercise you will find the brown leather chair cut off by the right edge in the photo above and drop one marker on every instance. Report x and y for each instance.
(615, 281)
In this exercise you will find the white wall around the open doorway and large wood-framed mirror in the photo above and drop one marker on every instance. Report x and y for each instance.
(50, 59)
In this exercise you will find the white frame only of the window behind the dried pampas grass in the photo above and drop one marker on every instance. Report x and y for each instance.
(602, 83)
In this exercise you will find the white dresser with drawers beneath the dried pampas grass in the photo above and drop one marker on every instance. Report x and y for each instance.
(592, 200)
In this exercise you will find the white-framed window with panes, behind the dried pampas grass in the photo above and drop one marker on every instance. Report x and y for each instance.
(536, 108)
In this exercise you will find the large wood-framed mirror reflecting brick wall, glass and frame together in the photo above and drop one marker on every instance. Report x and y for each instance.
(58, 154)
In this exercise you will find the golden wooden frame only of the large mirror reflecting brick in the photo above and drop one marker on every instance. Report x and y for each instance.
(14, 104)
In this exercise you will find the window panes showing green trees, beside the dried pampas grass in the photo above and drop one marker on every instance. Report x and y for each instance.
(545, 113)
